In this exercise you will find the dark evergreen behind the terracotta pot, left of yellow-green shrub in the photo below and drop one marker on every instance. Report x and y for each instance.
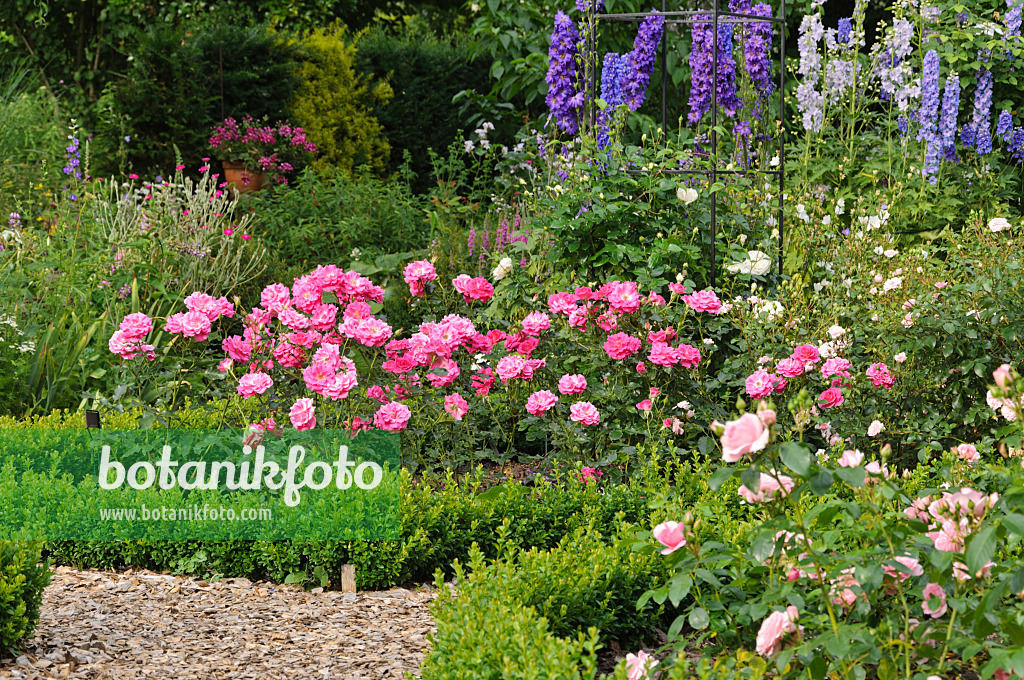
(185, 81)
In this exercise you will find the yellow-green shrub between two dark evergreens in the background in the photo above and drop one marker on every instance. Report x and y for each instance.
(333, 105)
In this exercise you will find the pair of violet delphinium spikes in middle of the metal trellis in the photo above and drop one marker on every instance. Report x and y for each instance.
(704, 70)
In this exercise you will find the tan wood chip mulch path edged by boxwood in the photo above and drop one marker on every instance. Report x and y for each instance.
(146, 625)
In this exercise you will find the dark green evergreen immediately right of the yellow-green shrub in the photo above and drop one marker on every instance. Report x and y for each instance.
(425, 74)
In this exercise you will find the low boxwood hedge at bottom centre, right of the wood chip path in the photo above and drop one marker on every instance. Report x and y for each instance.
(550, 605)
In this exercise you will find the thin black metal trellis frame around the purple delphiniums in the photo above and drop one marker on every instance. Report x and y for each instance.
(715, 17)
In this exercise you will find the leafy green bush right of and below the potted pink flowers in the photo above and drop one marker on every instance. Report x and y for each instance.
(319, 221)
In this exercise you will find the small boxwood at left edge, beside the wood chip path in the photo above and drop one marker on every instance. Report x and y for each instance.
(23, 577)
